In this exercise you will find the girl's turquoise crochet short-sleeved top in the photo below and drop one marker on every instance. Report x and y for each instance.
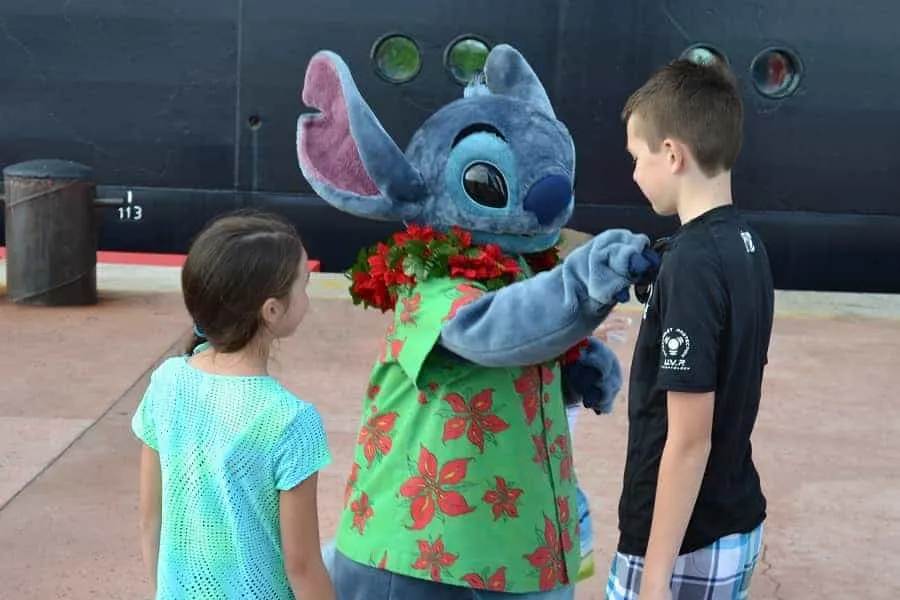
(227, 445)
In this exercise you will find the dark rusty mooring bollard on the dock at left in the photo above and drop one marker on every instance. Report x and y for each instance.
(51, 233)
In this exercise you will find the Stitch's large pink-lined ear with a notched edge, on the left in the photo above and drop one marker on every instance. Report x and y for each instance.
(344, 152)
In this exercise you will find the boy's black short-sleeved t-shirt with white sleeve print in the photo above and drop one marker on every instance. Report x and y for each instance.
(705, 327)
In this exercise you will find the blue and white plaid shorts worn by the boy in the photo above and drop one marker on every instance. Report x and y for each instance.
(720, 571)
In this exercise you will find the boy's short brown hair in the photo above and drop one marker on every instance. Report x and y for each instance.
(698, 104)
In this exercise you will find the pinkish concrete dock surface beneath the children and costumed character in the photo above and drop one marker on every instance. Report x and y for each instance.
(827, 442)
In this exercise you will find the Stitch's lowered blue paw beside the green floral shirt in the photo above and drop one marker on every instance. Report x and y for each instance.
(595, 379)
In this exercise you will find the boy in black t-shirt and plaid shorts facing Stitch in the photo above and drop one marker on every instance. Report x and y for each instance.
(692, 509)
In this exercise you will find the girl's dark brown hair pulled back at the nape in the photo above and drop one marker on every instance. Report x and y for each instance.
(236, 263)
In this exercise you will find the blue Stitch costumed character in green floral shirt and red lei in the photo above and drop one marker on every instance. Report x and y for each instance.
(463, 469)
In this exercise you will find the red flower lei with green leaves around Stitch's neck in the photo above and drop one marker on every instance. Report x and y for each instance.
(383, 271)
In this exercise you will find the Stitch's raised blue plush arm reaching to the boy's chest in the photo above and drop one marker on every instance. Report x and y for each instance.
(536, 320)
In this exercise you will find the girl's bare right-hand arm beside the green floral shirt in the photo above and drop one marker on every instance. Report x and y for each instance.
(300, 542)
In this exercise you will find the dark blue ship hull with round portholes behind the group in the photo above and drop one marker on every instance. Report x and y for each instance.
(193, 105)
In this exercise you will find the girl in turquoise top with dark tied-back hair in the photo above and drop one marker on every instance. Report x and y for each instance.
(230, 457)
